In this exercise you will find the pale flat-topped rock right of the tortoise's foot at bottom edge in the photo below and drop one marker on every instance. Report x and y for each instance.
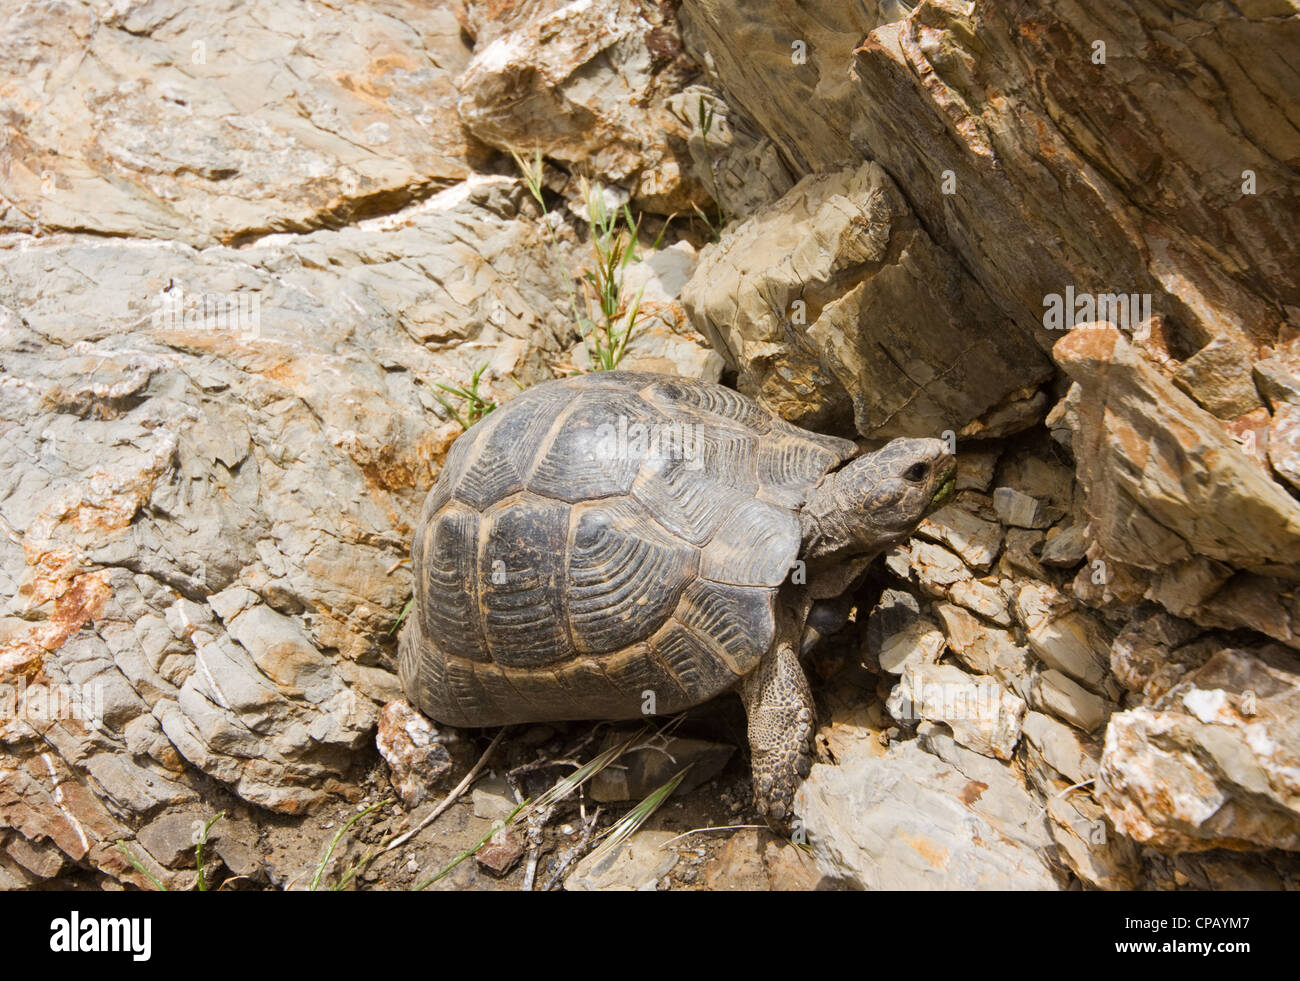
(913, 822)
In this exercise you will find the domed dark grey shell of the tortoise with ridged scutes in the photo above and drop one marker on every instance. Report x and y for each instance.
(601, 537)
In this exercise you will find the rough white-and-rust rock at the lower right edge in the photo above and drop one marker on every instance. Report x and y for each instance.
(1214, 762)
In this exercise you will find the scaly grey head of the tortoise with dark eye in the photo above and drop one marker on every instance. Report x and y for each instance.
(886, 494)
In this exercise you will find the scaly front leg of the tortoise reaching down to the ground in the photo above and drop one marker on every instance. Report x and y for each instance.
(779, 706)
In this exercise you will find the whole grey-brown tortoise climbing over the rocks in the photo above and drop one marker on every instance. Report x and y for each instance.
(627, 544)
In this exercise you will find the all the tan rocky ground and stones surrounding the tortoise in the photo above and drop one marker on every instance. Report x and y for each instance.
(244, 244)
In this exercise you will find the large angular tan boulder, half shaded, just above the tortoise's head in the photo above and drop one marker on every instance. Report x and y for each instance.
(813, 266)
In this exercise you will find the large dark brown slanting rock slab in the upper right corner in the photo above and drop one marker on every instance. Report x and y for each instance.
(947, 99)
